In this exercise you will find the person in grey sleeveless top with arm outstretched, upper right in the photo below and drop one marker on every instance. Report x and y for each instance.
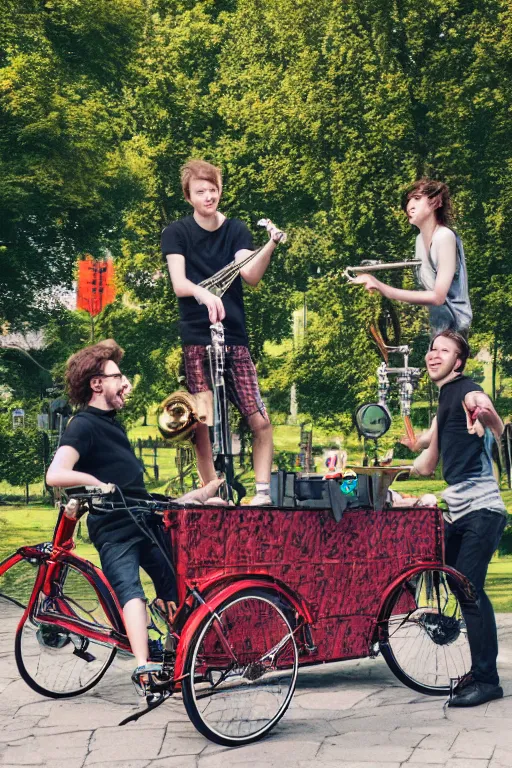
(442, 274)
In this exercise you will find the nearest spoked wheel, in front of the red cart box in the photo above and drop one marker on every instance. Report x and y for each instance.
(241, 670)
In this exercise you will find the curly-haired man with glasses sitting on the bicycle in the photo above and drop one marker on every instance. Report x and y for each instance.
(95, 450)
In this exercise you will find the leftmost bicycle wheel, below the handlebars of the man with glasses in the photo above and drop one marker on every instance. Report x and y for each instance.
(57, 661)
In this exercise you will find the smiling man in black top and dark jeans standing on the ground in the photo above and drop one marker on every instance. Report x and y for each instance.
(461, 435)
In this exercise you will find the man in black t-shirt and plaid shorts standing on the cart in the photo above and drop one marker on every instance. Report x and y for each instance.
(194, 249)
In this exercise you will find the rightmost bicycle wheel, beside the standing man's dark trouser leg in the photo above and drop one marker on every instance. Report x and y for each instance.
(423, 636)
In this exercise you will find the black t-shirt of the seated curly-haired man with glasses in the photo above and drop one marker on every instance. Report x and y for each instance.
(106, 453)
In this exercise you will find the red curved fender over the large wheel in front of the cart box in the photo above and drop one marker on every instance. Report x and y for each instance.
(211, 605)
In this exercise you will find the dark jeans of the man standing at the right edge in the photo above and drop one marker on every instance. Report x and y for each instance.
(469, 545)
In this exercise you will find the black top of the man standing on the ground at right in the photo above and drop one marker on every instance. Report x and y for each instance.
(464, 456)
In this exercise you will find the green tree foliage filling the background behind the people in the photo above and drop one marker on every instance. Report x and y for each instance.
(319, 113)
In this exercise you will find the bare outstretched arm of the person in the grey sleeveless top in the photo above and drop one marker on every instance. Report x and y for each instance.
(447, 264)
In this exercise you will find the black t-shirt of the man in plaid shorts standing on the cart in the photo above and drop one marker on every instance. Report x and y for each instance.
(205, 253)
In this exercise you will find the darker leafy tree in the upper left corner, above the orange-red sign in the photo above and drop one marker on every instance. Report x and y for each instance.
(64, 174)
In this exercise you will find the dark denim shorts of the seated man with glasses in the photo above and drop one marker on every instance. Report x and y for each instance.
(121, 561)
